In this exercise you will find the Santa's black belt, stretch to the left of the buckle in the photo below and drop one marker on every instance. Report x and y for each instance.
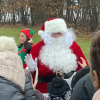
(46, 79)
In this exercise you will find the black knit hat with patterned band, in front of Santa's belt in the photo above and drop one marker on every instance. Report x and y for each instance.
(58, 89)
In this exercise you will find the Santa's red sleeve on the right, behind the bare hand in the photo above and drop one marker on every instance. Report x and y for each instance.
(78, 52)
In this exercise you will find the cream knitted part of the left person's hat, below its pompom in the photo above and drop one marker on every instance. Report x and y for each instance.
(11, 67)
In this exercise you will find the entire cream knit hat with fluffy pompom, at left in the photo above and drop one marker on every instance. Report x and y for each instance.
(11, 66)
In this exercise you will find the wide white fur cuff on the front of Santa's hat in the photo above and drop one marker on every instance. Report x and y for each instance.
(54, 26)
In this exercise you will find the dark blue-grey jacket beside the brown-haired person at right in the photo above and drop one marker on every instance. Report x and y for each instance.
(83, 89)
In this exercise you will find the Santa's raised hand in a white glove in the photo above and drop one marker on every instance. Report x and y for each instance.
(32, 65)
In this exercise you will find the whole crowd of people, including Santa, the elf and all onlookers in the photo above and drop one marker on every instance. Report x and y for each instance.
(56, 63)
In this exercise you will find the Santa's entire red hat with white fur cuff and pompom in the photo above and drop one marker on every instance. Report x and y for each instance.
(53, 25)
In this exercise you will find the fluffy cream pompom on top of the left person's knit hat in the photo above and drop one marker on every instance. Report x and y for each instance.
(8, 44)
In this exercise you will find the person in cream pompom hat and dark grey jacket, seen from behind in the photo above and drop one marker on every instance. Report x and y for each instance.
(12, 76)
